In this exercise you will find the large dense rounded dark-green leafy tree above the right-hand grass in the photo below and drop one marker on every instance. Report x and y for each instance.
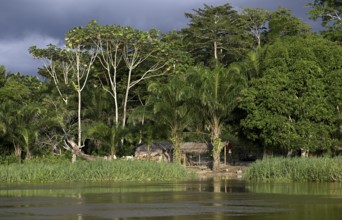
(294, 104)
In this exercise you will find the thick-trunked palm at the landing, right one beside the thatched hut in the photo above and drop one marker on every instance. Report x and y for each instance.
(215, 98)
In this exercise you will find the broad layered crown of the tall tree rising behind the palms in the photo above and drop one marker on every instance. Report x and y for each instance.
(216, 35)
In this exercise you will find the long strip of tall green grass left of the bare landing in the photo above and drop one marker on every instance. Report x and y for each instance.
(117, 170)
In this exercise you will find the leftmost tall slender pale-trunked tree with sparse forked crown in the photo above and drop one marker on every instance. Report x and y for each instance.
(75, 63)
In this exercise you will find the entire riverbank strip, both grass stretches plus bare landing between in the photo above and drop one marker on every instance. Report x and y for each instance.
(269, 170)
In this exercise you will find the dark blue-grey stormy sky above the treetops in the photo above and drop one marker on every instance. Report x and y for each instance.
(25, 23)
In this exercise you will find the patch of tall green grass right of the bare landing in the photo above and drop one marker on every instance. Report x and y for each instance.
(296, 170)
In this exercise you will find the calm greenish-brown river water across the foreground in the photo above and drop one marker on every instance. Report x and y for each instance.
(205, 199)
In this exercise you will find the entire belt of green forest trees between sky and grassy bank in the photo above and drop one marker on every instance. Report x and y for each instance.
(259, 79)
